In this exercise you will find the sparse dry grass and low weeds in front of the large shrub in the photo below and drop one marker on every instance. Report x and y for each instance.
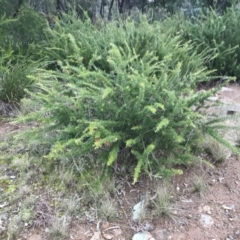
(53, 202)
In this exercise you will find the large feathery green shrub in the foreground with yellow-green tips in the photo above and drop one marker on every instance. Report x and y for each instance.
(140, 97)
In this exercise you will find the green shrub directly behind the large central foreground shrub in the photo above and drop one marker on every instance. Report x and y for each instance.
(78, 40)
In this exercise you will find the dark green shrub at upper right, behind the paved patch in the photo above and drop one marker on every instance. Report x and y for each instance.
(217, 32)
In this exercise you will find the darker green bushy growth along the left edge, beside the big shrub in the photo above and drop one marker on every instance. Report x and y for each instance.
(17, 37)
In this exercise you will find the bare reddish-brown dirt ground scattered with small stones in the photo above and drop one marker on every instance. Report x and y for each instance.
(212, 214)
